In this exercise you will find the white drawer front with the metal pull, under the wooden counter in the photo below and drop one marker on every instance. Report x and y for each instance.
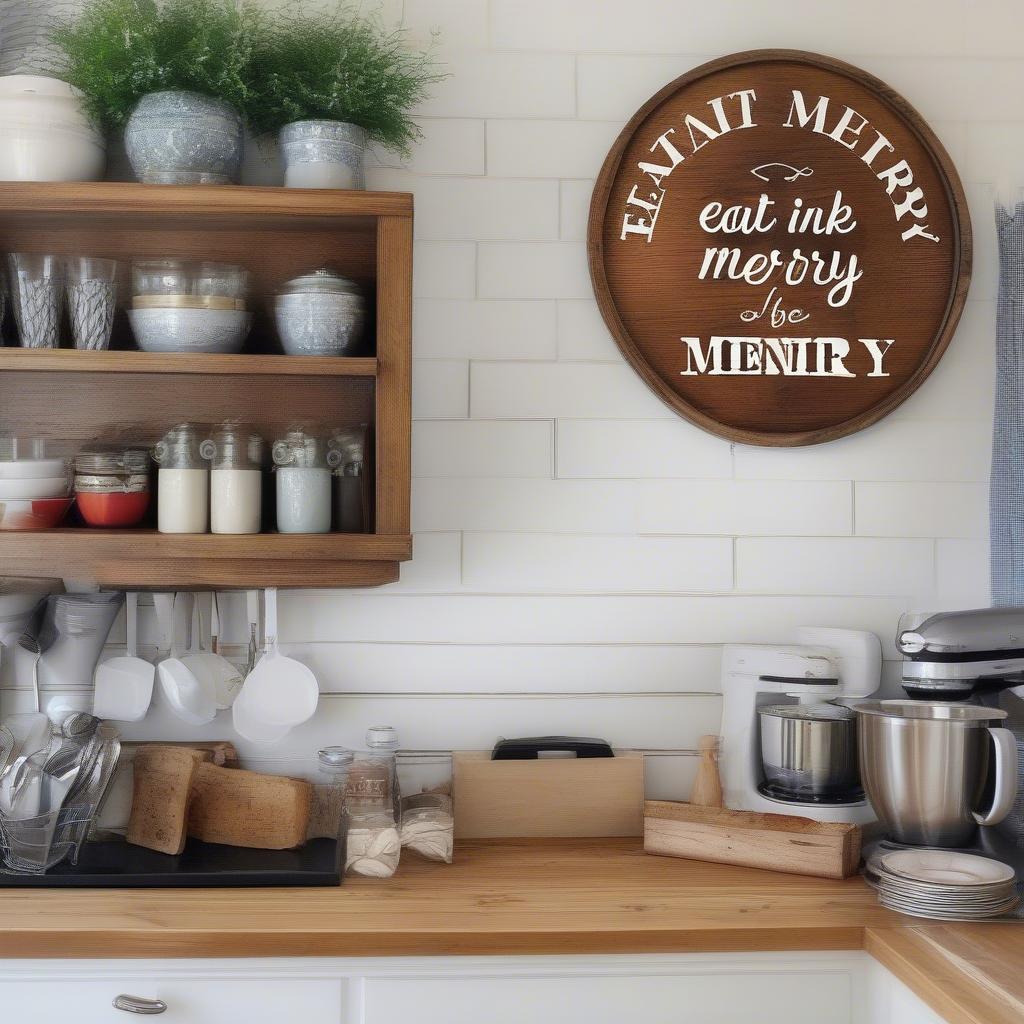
(190, 1000)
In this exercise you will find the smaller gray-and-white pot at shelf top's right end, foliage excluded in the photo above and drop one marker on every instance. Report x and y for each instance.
(324, 155)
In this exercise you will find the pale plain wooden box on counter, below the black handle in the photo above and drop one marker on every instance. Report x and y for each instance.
(547, 797)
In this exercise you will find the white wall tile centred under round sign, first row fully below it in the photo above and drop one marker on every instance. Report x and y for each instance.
(755, 508)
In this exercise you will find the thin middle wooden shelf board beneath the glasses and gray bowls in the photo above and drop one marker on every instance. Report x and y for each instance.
(70, 361)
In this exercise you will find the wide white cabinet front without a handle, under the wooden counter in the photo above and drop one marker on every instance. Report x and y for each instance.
(792, 998)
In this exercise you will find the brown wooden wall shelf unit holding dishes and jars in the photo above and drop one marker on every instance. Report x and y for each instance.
(74, 399)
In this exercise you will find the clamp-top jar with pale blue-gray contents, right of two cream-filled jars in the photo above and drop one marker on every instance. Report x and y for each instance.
(304, 484)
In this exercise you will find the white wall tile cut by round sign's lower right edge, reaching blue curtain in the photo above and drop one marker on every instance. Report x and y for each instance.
(894, 449)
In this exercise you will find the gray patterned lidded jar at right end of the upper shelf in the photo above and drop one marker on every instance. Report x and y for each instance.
(320, 314)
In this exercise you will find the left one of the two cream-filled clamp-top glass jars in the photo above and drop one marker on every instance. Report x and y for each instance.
(183, 484)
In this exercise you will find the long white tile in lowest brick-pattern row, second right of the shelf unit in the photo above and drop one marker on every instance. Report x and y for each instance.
(560, 563)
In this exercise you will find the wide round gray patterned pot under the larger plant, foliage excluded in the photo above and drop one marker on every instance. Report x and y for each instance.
(179, 138)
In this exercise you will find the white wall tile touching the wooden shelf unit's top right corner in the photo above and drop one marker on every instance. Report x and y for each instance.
(450, 208)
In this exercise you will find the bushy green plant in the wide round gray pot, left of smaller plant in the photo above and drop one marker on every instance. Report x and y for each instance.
(175, 74)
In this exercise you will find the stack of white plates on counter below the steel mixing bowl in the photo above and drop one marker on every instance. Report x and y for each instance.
(944, 885)
